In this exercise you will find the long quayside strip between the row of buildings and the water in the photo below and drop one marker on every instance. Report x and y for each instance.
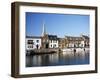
(55, 50)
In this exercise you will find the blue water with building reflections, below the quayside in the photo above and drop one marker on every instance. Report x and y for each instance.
(64, 58)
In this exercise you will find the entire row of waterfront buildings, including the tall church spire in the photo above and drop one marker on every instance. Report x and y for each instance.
(52, 41)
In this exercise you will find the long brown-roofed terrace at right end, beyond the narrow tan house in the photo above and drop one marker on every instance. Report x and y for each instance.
(81, 41)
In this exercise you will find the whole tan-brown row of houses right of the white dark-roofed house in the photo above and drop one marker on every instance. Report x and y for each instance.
(72, 41)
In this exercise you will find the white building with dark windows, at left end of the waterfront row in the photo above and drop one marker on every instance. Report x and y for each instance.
(33, 43)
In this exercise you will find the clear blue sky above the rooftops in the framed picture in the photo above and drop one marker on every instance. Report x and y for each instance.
(57, 24)
